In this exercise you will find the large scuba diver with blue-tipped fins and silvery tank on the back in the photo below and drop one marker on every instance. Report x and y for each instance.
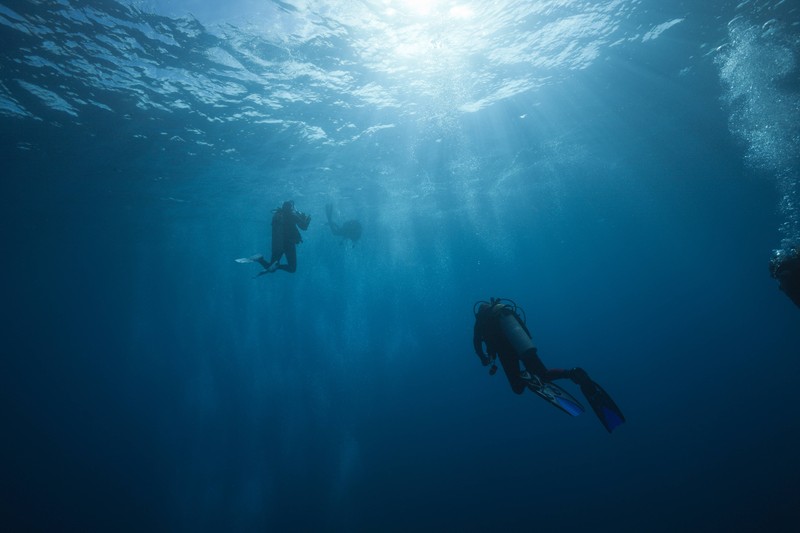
(499, 326)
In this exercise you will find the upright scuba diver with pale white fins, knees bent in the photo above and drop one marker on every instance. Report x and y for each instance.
(285, 238)
